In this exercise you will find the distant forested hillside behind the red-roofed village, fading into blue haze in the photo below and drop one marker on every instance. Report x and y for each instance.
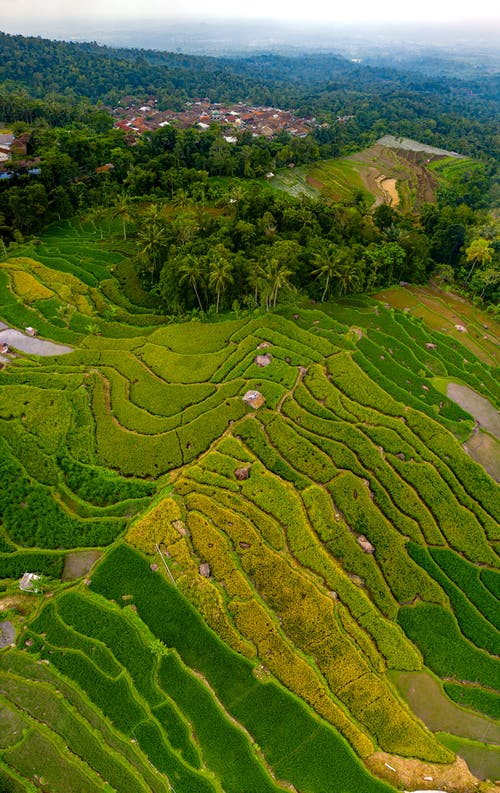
(445, 111)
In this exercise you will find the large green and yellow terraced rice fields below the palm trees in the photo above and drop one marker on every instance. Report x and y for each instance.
(262, 569)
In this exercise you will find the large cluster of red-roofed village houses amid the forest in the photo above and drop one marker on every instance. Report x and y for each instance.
(261, 121)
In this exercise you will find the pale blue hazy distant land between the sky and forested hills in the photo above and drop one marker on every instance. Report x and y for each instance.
(194, 34)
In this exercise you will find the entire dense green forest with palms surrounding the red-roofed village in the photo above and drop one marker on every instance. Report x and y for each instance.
(209, 230)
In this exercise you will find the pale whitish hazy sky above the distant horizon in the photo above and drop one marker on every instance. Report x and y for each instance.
(17, 14)
